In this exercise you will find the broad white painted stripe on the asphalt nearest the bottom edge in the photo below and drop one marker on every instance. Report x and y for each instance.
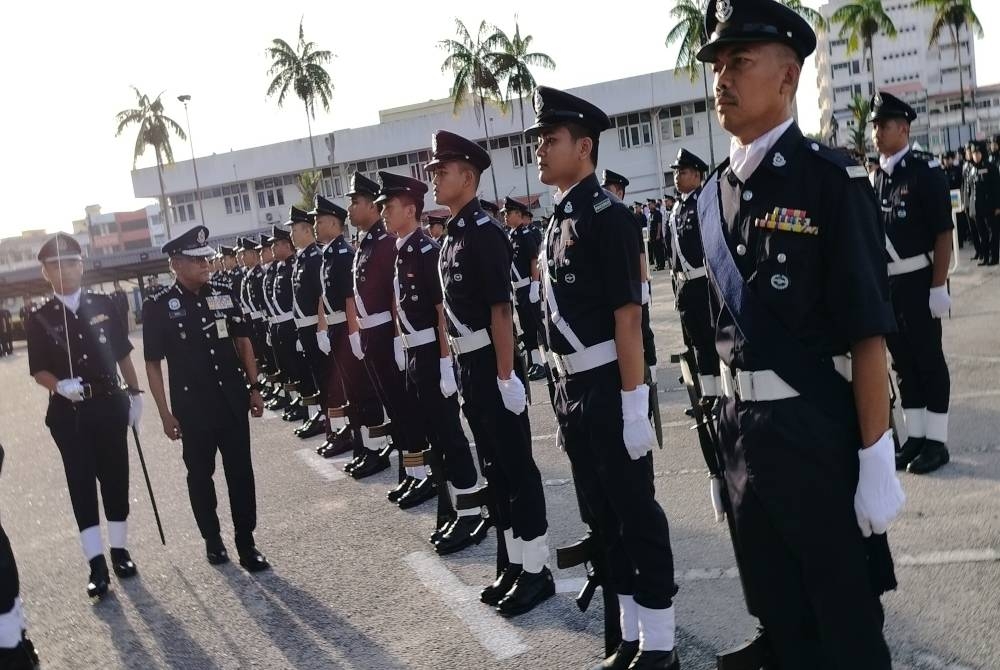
(491, 631)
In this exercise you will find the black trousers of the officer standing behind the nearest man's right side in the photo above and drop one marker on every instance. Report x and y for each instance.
(917, 356)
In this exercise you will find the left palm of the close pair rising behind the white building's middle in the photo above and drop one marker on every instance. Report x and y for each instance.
(470, 63)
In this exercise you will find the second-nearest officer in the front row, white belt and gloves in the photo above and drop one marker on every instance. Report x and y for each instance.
(593, 311)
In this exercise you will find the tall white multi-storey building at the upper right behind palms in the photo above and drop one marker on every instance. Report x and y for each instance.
(925, 76)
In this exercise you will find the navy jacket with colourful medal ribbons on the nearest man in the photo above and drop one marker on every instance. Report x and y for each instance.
(826, 281)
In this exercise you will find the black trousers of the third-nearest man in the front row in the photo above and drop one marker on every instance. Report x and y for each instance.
(503, 441)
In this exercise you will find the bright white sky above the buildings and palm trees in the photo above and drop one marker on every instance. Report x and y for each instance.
(69, 66)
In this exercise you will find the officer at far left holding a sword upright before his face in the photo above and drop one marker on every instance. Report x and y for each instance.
(75, 343)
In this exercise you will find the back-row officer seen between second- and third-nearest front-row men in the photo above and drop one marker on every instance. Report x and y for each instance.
(525, 241)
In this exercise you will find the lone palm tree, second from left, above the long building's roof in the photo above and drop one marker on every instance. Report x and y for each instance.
(301, 70)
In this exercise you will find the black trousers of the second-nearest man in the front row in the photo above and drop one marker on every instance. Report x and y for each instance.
(615, 493)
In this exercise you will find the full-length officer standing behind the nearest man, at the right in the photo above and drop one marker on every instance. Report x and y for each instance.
(916, 211)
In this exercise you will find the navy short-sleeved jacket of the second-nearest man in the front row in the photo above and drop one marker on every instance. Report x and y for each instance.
(592, 260)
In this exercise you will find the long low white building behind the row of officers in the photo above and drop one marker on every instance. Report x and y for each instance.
(654, 116)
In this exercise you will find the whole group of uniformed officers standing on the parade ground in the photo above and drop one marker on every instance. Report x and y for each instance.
(792, 267)
